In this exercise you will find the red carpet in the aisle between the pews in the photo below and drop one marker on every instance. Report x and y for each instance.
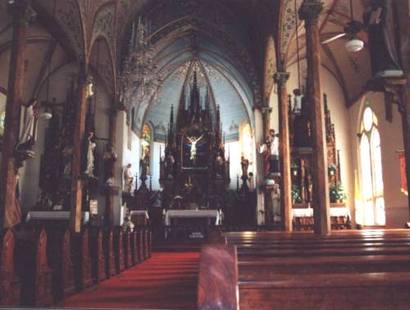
(168, 280)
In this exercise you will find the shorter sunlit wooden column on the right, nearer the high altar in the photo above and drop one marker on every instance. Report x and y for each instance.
(284, 151)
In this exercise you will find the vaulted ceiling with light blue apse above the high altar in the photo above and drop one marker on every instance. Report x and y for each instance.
(214, 35)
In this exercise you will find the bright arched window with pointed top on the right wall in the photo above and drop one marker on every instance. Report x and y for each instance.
(371, 173)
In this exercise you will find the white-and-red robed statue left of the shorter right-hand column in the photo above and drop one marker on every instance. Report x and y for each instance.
(270, 151)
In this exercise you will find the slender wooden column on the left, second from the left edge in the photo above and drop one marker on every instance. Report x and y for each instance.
(76, 181)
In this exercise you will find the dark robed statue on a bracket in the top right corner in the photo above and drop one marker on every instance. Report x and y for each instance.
(382, 46)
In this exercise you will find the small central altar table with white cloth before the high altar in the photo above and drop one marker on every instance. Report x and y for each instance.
(191, 223)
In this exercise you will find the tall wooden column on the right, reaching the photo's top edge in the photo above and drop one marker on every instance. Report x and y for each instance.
(309, 12)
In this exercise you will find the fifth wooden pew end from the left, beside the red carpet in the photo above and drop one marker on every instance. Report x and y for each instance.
(97, 255)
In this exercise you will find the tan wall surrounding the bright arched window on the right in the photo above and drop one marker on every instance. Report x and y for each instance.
(397, 211)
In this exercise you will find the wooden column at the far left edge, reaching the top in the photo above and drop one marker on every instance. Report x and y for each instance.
(10, 213)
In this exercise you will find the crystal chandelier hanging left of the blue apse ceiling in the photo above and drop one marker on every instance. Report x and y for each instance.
(139, 80)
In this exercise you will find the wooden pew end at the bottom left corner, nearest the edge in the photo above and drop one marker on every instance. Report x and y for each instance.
(10, 285)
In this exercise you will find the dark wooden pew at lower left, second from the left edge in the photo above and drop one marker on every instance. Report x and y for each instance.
(33, 269)
